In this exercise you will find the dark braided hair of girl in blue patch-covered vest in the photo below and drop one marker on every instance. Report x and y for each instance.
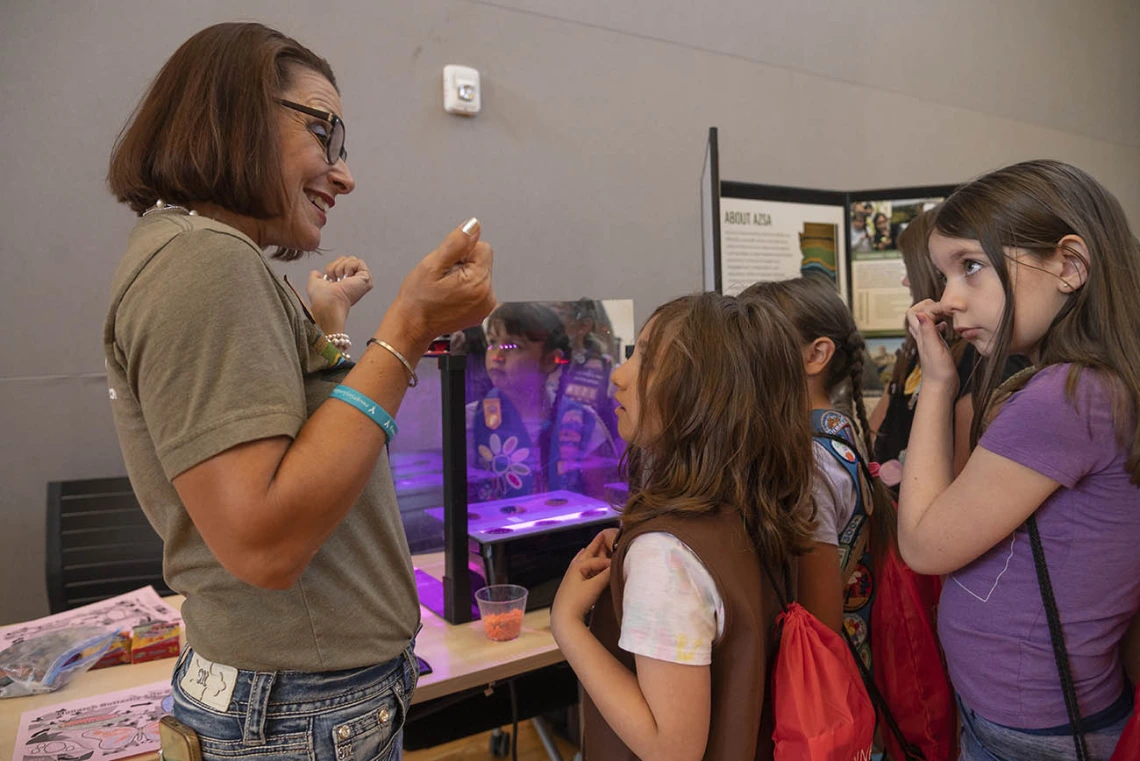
(817, 312)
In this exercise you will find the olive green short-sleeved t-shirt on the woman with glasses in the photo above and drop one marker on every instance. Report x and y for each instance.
(206, 350)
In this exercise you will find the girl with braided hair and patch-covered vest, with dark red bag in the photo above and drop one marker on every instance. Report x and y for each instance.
(852, 578)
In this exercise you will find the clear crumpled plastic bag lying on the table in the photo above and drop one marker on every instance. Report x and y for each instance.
(46, 664)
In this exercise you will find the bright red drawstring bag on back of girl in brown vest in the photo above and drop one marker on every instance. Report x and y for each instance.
(821, 709)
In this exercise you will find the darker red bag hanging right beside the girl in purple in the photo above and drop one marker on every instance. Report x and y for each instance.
(909, 670)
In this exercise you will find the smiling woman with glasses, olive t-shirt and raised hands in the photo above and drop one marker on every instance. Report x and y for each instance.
(254, 443)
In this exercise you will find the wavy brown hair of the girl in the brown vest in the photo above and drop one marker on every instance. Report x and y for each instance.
(729, 400)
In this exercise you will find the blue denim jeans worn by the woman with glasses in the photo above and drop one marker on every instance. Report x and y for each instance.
(292, 716)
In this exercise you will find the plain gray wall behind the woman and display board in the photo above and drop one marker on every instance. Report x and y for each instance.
(584, 166)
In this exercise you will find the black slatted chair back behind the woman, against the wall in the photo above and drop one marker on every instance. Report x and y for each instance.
(100, 544)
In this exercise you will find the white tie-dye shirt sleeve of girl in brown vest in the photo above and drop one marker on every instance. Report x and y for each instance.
(671, 609)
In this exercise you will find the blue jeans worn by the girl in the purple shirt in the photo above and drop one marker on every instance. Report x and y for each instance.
(986, 741)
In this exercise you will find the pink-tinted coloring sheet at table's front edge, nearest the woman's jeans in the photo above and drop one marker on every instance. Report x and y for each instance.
(105, 727)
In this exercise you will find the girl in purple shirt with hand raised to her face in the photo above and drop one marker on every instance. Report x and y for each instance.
(1038, 260)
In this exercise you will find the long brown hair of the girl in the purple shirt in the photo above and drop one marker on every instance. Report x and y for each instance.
(1031, 207)
